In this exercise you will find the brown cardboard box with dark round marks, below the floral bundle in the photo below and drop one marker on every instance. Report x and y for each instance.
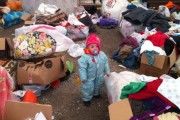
(43, 72)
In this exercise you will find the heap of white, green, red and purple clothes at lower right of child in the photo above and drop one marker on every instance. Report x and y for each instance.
(159, 95)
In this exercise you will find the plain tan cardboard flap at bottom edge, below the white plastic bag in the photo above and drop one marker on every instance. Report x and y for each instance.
(120, 110)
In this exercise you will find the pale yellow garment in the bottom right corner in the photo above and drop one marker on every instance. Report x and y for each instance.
(168, 116)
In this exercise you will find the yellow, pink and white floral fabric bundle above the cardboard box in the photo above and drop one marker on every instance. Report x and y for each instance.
(33, 45)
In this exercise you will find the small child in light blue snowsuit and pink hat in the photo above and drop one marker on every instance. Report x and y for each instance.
(93, 65)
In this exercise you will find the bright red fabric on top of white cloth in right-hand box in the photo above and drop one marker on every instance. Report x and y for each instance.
(158, 39)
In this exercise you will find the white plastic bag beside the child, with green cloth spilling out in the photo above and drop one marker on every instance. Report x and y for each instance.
(116, 81)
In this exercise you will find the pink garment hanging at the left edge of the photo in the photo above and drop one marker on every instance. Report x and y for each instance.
(6, 86)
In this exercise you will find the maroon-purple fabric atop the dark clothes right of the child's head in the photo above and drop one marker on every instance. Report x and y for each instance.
(129, 41)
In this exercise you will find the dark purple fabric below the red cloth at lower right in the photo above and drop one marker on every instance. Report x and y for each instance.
(156, 107)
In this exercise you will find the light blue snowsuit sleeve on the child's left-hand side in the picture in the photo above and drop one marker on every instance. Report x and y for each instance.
(82, 63)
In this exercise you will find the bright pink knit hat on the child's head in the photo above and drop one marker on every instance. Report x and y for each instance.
(93, 39)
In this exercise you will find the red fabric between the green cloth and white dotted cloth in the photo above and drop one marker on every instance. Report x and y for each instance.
(150, 91)
